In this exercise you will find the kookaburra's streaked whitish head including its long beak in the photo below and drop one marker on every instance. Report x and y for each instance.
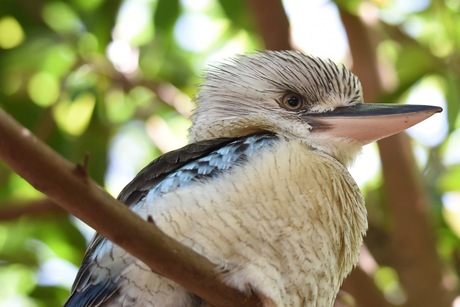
(296, 96)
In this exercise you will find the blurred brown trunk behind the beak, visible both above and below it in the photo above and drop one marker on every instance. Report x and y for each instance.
(413, 244)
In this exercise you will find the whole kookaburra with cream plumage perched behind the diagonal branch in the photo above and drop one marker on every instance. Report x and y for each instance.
(262, 190)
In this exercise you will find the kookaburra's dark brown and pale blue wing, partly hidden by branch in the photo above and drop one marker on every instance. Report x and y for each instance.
(96, 283)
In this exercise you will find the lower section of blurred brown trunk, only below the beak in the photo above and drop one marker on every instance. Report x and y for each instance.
(413, 242)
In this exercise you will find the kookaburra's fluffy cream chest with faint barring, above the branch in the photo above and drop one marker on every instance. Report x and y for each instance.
(289, 221)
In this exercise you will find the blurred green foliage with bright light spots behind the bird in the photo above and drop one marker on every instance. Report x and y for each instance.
(114, 79)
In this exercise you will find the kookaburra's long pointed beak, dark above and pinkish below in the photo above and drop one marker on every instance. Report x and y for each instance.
(367, 122)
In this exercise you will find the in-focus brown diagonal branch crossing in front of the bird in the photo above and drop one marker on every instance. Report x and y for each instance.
(69, 187)
